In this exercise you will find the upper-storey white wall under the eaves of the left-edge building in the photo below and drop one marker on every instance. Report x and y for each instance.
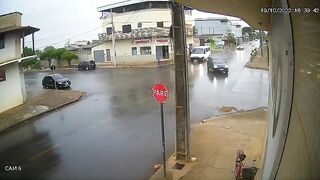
(12, 48)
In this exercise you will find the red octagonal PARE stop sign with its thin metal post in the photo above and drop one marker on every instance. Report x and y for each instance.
(160, 93)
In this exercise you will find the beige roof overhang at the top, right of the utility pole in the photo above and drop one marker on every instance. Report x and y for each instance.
(248, 10)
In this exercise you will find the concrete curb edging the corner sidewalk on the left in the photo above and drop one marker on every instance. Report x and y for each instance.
(27, 119)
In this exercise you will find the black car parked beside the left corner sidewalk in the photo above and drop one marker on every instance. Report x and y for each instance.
(55, 81)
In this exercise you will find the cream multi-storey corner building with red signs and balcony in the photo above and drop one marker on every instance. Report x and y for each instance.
(141, 31)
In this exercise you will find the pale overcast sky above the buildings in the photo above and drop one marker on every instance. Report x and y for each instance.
(62, 20)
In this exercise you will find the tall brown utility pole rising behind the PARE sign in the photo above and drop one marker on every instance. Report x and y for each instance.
(182, 150)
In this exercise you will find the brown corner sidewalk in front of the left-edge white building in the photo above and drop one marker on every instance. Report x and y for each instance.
(48, 101)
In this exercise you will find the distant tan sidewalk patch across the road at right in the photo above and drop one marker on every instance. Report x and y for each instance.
(259, 62)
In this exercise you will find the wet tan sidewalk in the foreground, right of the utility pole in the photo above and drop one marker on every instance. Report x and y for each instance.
(214, 144)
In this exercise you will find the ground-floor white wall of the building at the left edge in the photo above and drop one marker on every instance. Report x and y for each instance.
(11, 93)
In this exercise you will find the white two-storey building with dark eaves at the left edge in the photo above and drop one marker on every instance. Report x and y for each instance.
(12, 87)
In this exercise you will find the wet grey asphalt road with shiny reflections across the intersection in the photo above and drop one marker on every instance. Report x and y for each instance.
(114, 131)
